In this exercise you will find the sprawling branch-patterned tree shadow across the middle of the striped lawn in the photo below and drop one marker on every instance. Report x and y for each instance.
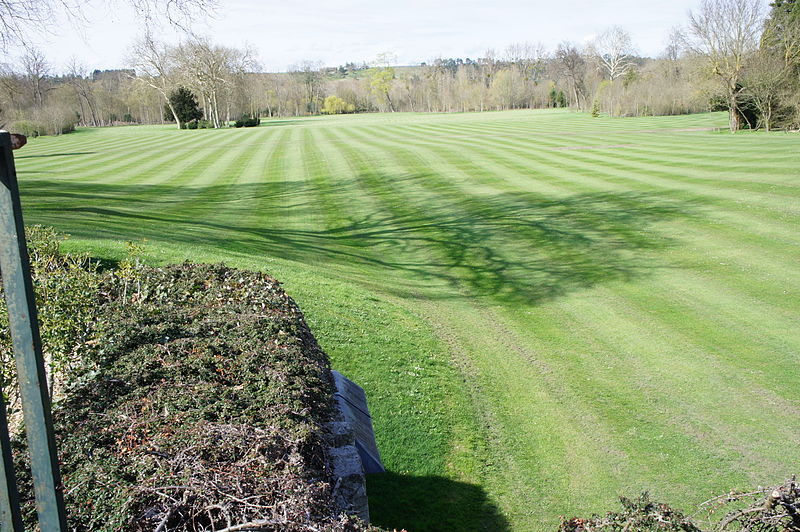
(519, 247)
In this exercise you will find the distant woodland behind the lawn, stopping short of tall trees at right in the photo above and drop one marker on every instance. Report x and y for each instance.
(225, 82)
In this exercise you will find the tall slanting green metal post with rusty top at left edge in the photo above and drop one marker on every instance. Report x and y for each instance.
(22, 318)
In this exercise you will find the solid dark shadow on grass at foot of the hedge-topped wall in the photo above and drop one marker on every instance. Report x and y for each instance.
(431, 504)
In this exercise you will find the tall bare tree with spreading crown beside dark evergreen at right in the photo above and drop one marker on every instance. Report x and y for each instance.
(727, 32)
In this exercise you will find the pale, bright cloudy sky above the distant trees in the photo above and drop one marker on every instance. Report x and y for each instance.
(337, 31)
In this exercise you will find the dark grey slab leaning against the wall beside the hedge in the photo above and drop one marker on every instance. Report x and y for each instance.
(352, 402)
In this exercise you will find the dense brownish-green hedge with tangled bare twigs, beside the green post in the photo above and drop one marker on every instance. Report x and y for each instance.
(198, 403)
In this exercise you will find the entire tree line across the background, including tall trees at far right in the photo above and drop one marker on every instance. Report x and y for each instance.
(730, 56)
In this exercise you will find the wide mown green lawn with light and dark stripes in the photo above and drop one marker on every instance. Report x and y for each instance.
(547, 310)
